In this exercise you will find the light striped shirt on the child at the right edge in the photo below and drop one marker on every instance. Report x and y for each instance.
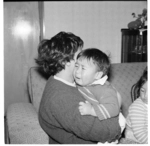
(137, 122)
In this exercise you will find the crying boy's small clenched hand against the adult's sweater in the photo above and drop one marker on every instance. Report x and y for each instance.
(85, 108)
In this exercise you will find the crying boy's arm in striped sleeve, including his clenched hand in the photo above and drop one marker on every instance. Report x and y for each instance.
(105, 108)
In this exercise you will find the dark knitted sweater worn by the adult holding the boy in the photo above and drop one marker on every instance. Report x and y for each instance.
(60, 118)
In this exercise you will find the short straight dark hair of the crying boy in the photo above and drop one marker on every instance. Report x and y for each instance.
(98, 57)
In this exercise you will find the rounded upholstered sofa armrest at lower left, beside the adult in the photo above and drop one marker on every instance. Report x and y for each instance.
(23, 125)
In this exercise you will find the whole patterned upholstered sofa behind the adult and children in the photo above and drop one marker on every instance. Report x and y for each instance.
(22, 118)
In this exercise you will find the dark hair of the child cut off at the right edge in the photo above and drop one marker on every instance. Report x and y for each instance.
(135, 90)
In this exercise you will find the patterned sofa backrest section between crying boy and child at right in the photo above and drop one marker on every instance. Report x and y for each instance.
(123, 76)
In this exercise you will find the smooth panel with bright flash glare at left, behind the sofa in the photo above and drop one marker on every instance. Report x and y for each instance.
(21, 37)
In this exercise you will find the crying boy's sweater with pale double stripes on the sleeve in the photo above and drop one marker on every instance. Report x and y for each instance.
(103, 99)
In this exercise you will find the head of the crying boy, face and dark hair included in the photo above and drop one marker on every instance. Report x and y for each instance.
(92, 64)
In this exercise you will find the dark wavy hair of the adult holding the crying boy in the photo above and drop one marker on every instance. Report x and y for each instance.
(54, 53)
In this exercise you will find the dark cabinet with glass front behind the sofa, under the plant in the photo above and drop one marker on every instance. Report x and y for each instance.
(134, 45)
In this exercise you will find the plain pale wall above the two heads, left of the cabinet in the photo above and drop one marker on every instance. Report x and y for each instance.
(98, 23)
